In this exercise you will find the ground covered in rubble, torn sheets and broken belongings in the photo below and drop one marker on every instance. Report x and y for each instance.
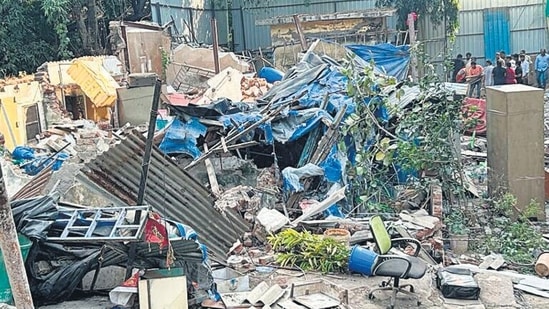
(253, 189)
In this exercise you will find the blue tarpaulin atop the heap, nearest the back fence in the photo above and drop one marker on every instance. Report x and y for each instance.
(391, 59)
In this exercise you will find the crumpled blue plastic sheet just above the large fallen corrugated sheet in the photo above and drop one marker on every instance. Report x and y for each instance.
(181, 137)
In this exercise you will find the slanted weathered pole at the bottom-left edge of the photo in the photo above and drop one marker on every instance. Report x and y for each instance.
(11, 250)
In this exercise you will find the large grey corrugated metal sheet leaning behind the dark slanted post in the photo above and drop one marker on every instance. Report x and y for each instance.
(170, 191)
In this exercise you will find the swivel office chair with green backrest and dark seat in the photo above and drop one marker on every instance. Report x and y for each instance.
(395, 266)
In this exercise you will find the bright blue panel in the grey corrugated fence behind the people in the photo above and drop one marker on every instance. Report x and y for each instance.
(497, 32)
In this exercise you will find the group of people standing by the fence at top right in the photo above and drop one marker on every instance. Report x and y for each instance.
(508, 69)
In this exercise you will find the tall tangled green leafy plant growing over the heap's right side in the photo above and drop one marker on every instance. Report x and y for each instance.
(422, 137)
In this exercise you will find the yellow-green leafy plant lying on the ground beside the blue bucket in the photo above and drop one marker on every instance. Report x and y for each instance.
(309, 251)
